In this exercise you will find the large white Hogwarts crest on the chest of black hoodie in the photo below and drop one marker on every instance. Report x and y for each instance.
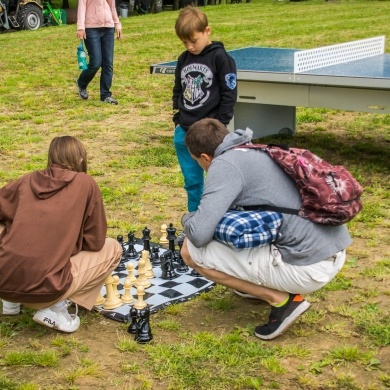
(196, 79)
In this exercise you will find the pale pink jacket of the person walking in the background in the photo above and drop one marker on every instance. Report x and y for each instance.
(97, 13)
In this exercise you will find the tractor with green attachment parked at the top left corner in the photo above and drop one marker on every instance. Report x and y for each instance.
(27, 14)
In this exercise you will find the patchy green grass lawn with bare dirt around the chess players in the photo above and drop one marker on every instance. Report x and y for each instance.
(342, 342)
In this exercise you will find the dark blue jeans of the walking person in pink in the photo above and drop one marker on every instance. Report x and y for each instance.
(100, 46)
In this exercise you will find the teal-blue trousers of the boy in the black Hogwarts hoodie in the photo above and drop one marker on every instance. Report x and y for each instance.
(193, 174)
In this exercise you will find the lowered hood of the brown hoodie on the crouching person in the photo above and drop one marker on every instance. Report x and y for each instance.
(46, 183)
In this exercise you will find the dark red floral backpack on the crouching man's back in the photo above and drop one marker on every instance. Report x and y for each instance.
(330, 194)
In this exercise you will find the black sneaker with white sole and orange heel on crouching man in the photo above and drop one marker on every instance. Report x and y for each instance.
(282, 317)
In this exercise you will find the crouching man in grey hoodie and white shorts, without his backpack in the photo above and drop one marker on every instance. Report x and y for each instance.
(303, 258)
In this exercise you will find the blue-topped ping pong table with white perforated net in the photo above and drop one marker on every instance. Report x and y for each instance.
(271, 83)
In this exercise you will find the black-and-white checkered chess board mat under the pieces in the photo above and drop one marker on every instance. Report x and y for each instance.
(162, 292)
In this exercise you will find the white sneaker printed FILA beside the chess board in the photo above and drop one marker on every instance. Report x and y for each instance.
(58, 318)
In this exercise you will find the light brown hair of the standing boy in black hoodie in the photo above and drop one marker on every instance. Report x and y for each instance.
(190, 21)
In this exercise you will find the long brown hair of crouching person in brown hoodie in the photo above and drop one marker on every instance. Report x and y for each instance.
(69, 153)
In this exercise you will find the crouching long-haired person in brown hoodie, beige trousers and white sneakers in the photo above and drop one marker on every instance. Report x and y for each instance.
(53, 245)
